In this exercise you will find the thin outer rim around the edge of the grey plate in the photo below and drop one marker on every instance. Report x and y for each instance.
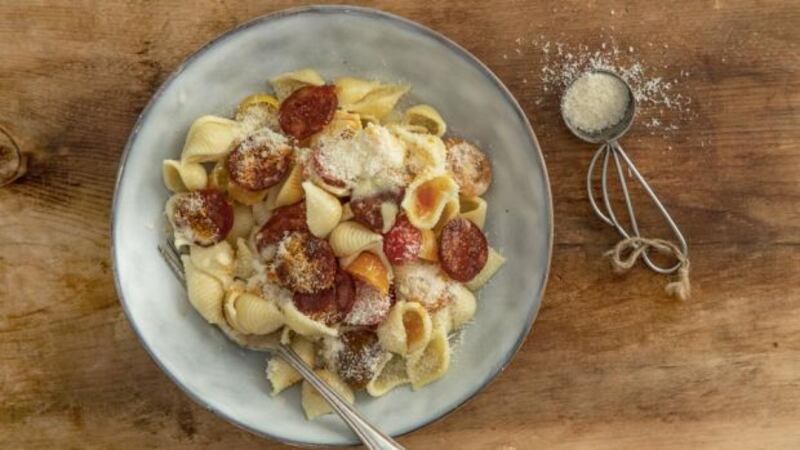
(326, 10)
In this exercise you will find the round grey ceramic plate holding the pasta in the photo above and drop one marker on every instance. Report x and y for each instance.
(336, 41)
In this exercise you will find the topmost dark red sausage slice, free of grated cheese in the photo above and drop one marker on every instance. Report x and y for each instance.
(307, 111)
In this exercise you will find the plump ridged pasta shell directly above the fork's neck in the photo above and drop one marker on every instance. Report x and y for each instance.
(251, 314)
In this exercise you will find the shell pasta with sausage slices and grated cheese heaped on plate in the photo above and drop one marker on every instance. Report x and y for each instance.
(323, 213)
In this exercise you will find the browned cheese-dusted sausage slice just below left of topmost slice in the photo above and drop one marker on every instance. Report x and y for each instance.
(260, 161)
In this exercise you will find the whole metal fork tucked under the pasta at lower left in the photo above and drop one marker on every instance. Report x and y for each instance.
(370, 436)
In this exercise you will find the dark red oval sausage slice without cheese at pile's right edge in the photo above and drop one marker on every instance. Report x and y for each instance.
(463, 249)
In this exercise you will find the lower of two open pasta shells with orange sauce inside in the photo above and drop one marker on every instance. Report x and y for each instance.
(406, 330)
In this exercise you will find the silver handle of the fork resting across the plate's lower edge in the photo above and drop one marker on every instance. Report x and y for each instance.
(369, 435)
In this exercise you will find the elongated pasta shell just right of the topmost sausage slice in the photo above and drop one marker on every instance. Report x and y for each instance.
(368, 98)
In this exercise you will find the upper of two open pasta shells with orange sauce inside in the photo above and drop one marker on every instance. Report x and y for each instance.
(426, 199)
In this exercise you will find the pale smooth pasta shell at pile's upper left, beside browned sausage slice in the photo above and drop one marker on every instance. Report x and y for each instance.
(210, 138)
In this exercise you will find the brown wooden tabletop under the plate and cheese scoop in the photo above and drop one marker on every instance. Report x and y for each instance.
(610, 363)
